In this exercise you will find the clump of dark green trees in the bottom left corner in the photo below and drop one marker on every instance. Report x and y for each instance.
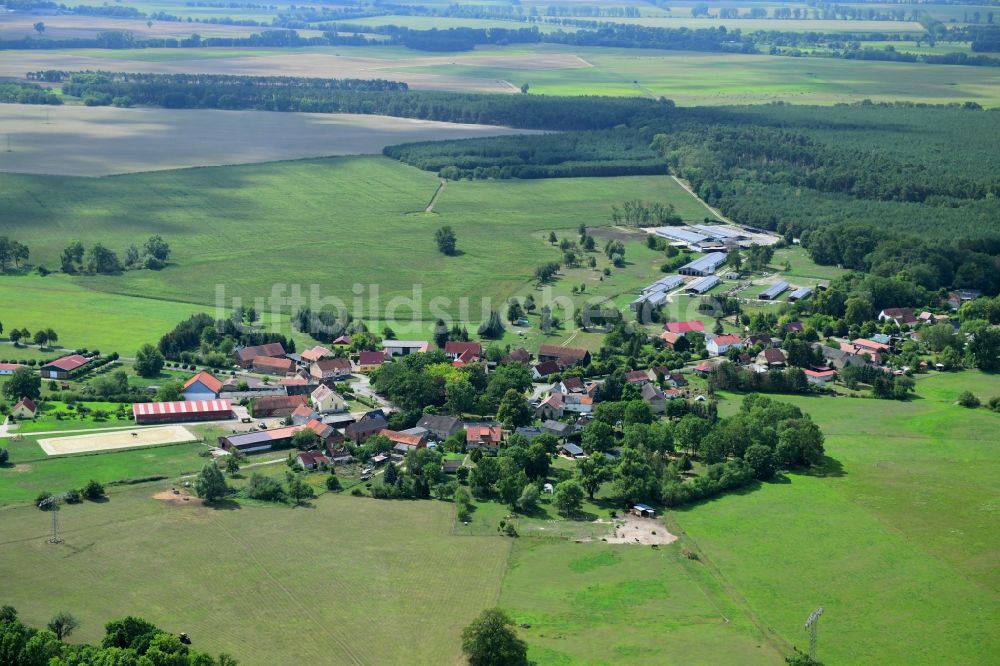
(128, 641)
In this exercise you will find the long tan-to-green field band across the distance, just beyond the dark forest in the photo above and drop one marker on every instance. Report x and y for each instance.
(557, 70)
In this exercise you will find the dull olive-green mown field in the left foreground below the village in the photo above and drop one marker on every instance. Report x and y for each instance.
(369, 582)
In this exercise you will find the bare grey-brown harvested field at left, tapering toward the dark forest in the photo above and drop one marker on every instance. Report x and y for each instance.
(100, 141)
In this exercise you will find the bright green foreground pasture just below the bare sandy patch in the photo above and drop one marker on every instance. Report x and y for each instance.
(603, 604)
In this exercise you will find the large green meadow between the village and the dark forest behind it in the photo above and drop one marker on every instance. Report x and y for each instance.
(319, 222)
